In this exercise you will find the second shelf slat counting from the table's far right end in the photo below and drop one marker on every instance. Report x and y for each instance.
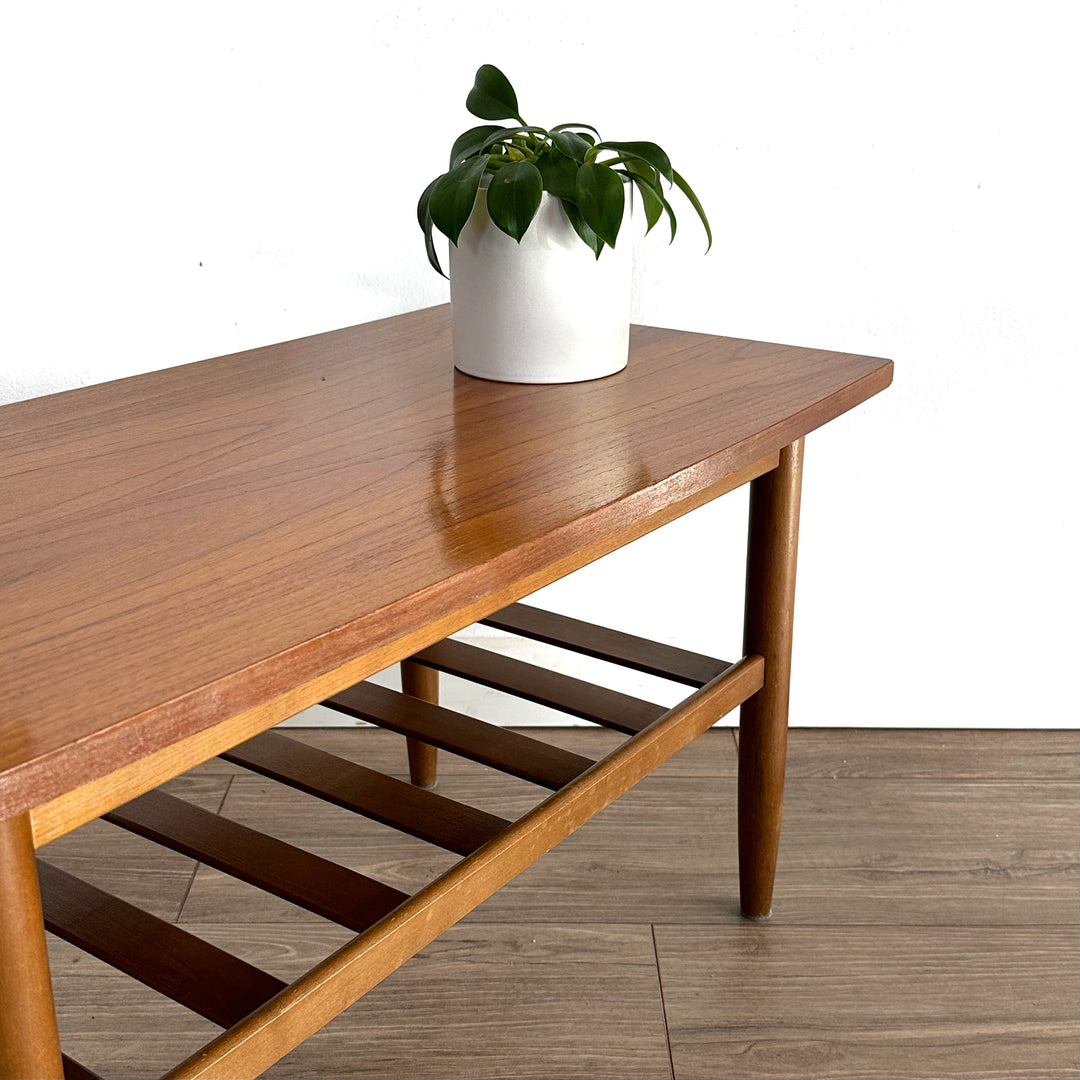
(564, 693)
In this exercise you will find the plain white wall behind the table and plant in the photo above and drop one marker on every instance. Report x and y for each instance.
(184, 181)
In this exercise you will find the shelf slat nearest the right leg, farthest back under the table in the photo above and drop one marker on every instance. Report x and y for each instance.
(640, 654)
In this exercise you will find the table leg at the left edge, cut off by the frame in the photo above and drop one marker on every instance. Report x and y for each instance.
(30, 1044)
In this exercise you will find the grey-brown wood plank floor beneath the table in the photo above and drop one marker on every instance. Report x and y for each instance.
(926, 923)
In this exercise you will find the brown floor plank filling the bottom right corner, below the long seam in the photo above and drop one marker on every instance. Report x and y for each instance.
(861, 1003)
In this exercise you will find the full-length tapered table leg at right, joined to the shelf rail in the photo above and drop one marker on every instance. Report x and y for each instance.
(773, 549)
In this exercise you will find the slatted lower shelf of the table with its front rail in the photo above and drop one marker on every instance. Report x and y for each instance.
(263, 1017)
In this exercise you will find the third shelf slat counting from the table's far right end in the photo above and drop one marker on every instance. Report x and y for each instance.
(498, 748)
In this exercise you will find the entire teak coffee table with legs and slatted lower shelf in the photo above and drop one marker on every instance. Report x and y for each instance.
(191, 557)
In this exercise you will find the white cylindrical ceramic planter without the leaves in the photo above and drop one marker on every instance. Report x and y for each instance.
(546, 310)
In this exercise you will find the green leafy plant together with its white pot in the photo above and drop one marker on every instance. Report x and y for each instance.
(539, 289)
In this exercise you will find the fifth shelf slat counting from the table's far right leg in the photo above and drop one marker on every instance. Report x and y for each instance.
(319, 885)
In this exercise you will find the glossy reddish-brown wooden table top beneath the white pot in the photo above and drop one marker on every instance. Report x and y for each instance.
(180, 546)
